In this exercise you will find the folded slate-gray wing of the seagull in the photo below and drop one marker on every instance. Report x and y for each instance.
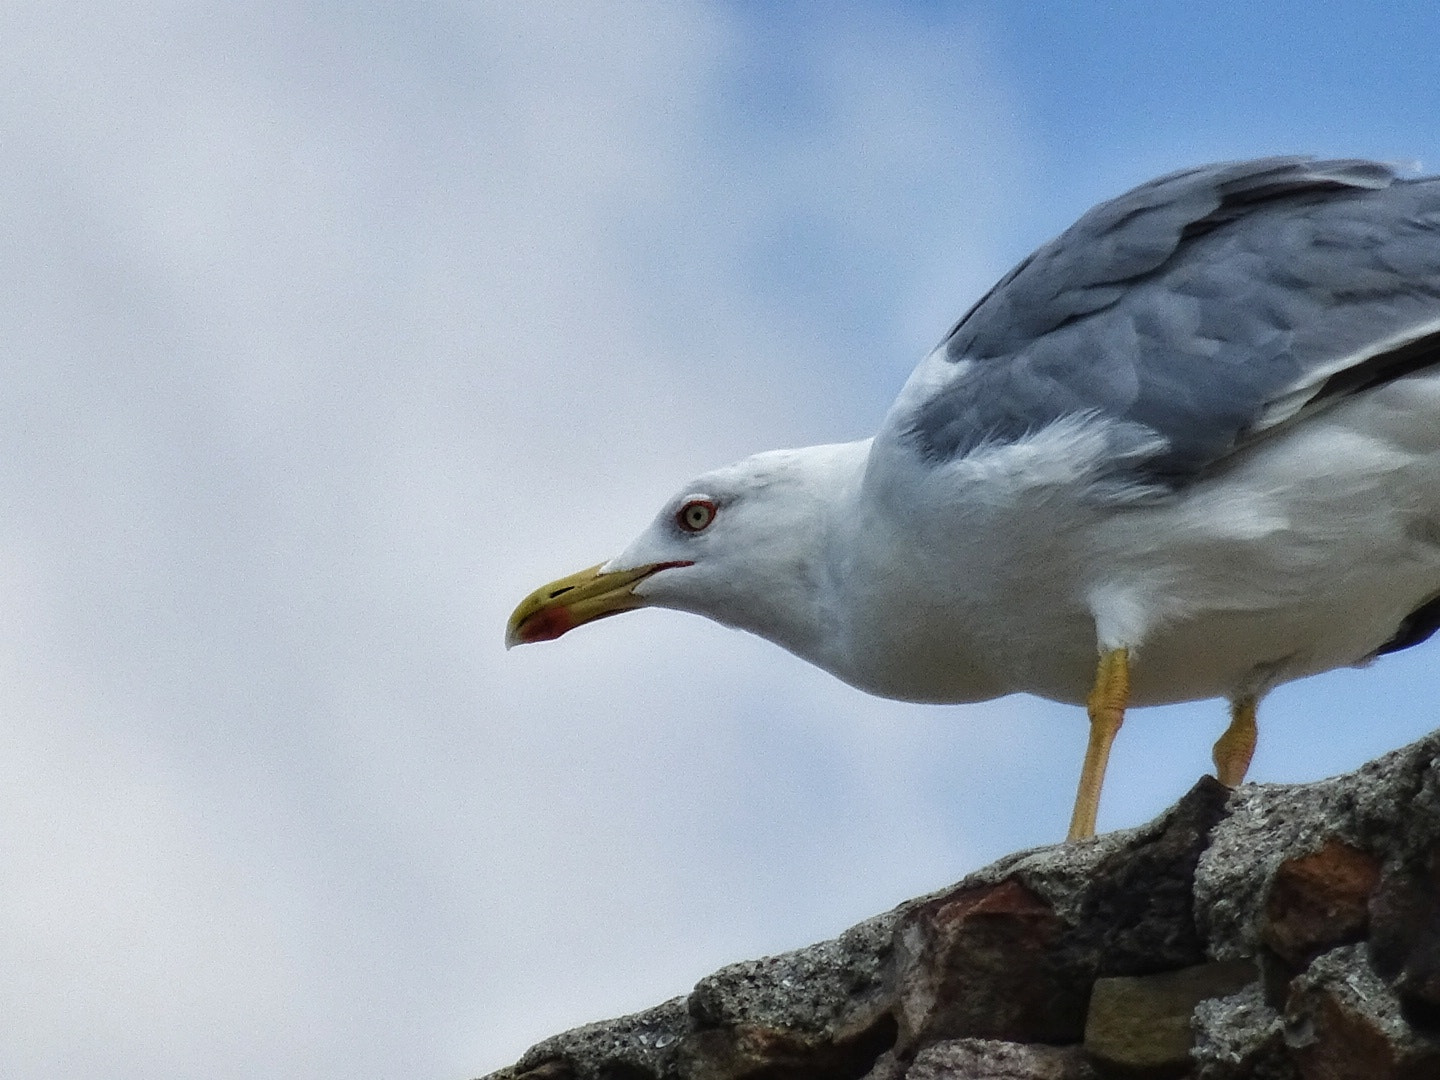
(1193, 313)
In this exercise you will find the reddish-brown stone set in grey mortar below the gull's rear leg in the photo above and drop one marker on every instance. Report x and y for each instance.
(1320, 901)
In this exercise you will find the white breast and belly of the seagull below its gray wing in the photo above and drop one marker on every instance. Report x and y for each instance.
(1304, 554)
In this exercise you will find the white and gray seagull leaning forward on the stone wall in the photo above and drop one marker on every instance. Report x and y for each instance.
(1187, 450)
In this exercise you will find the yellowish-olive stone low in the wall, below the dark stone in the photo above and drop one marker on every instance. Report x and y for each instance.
(1140, 1026)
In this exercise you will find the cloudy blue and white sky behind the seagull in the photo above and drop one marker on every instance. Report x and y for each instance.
(329, 332)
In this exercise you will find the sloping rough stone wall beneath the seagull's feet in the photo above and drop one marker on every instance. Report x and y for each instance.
(1278, 932)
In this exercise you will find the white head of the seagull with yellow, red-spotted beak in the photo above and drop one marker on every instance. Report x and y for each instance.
(747, 546)
